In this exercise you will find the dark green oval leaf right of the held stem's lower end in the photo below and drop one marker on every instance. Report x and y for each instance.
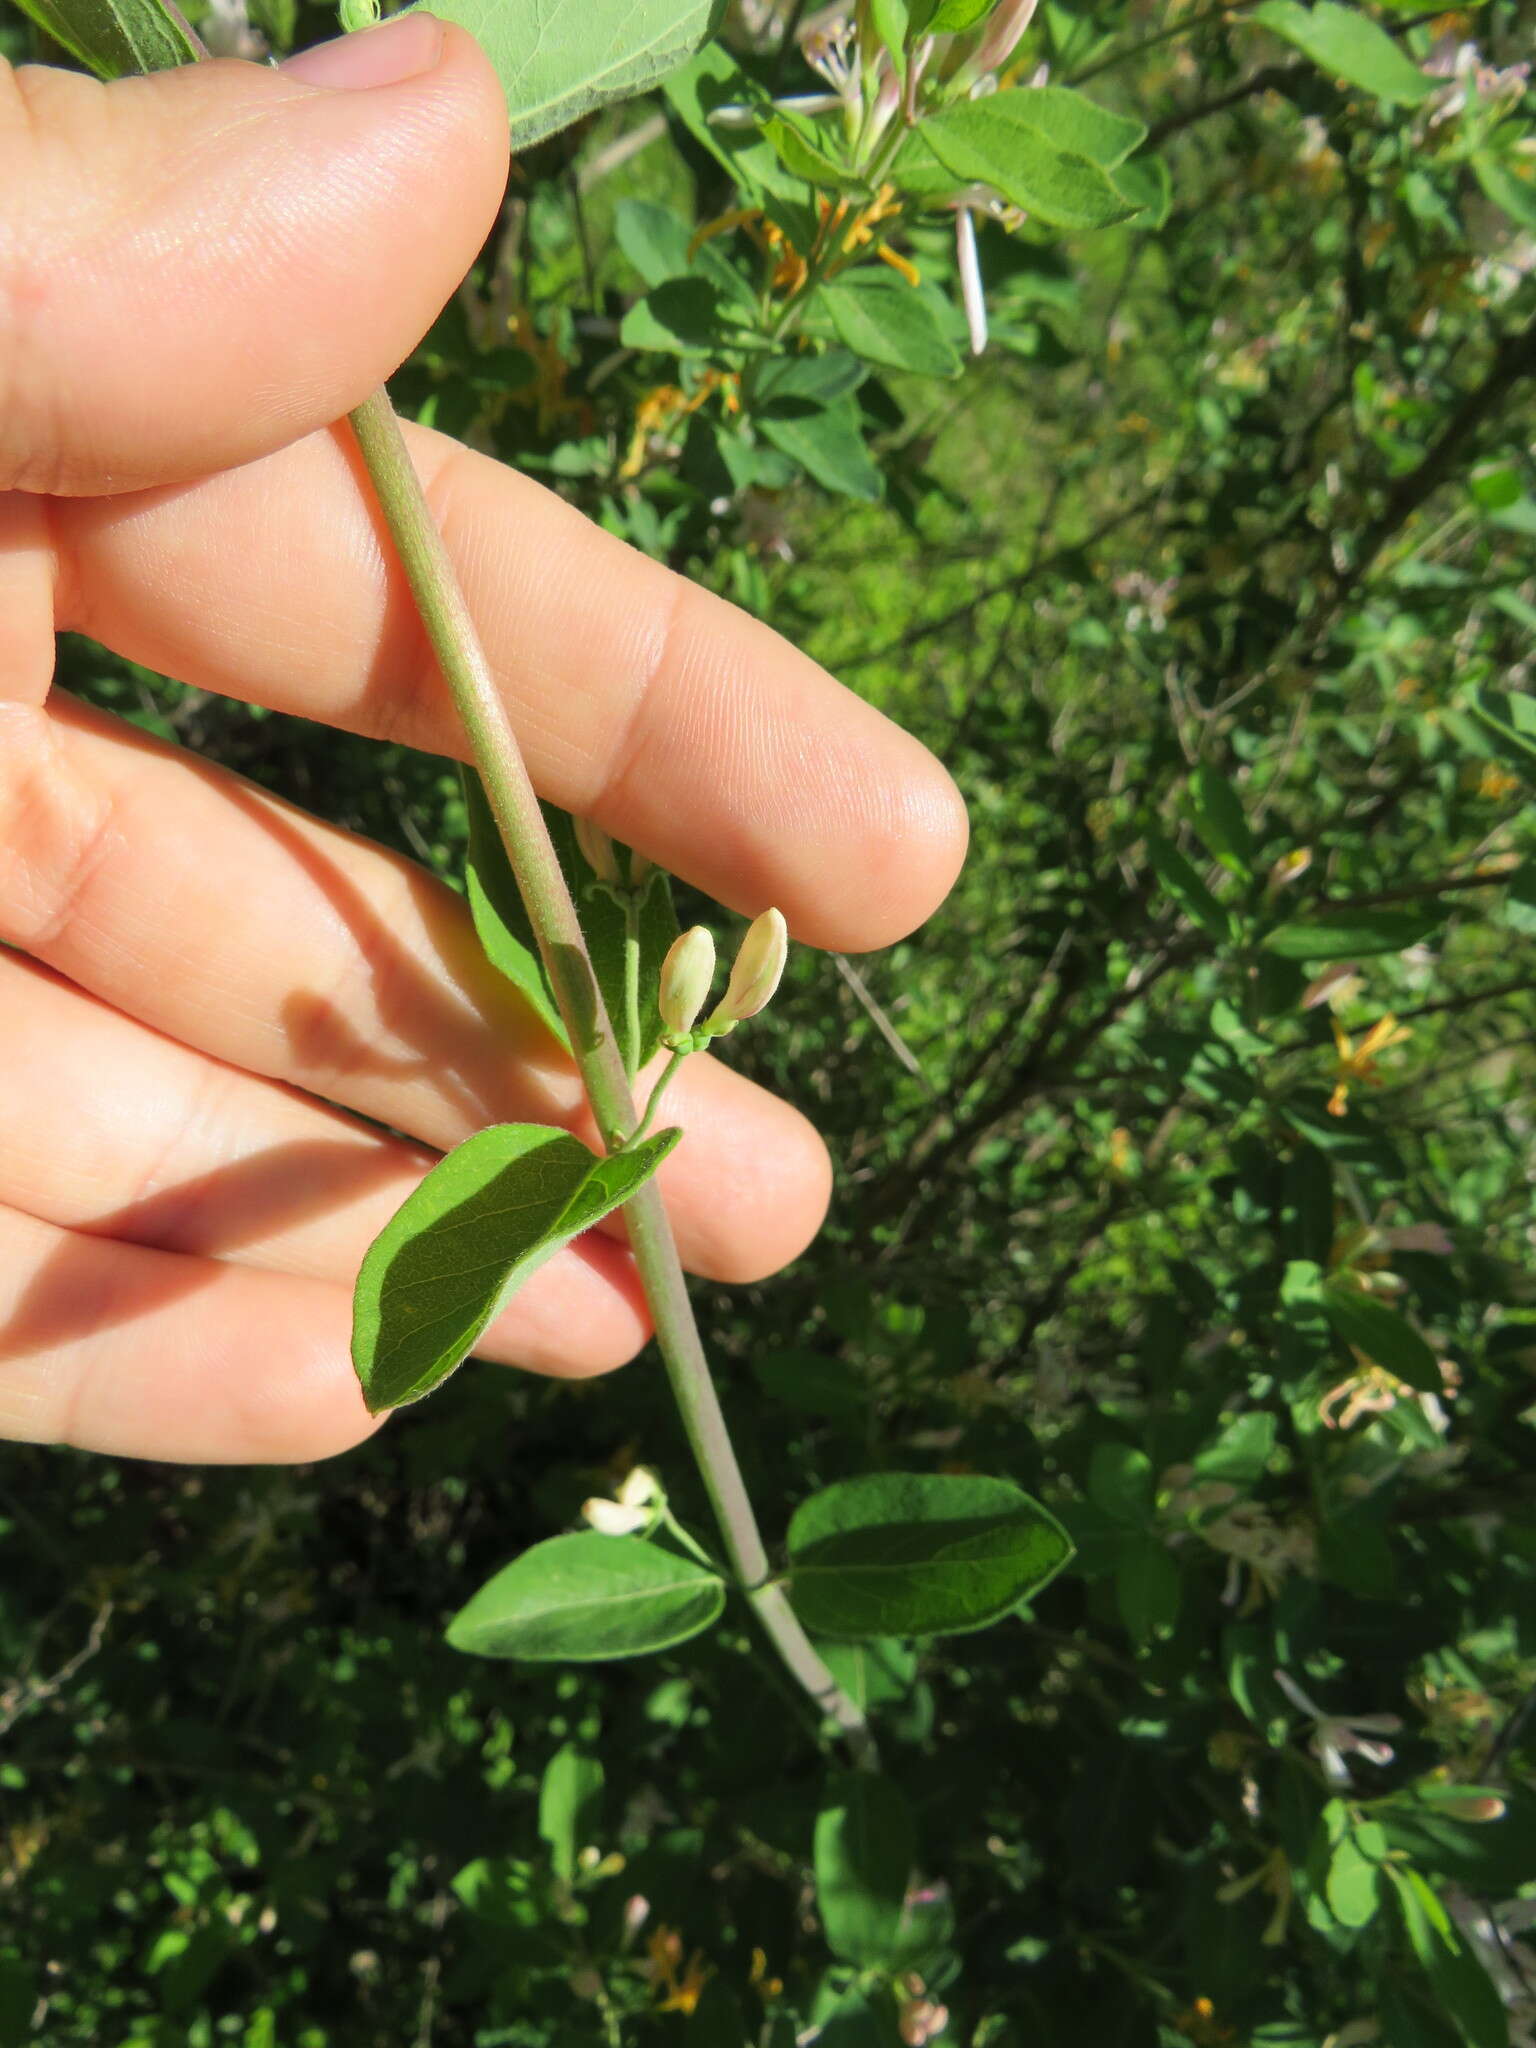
(919, 1555)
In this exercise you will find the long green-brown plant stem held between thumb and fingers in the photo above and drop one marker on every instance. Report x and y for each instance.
(564, 953)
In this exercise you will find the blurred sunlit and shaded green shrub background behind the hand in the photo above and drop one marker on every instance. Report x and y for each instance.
(1215, 585)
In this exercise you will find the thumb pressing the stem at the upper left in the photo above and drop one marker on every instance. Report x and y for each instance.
(204, 265)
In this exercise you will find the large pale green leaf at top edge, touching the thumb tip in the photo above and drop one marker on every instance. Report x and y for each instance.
(560, 60)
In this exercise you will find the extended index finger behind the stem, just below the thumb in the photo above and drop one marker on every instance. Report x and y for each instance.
(683, 726)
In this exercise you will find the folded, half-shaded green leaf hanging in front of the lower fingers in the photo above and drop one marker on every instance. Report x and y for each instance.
(462, 1244)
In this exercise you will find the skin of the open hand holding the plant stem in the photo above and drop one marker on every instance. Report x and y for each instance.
(204, 992)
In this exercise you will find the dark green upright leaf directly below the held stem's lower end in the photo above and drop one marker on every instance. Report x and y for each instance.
(865, 1848)
